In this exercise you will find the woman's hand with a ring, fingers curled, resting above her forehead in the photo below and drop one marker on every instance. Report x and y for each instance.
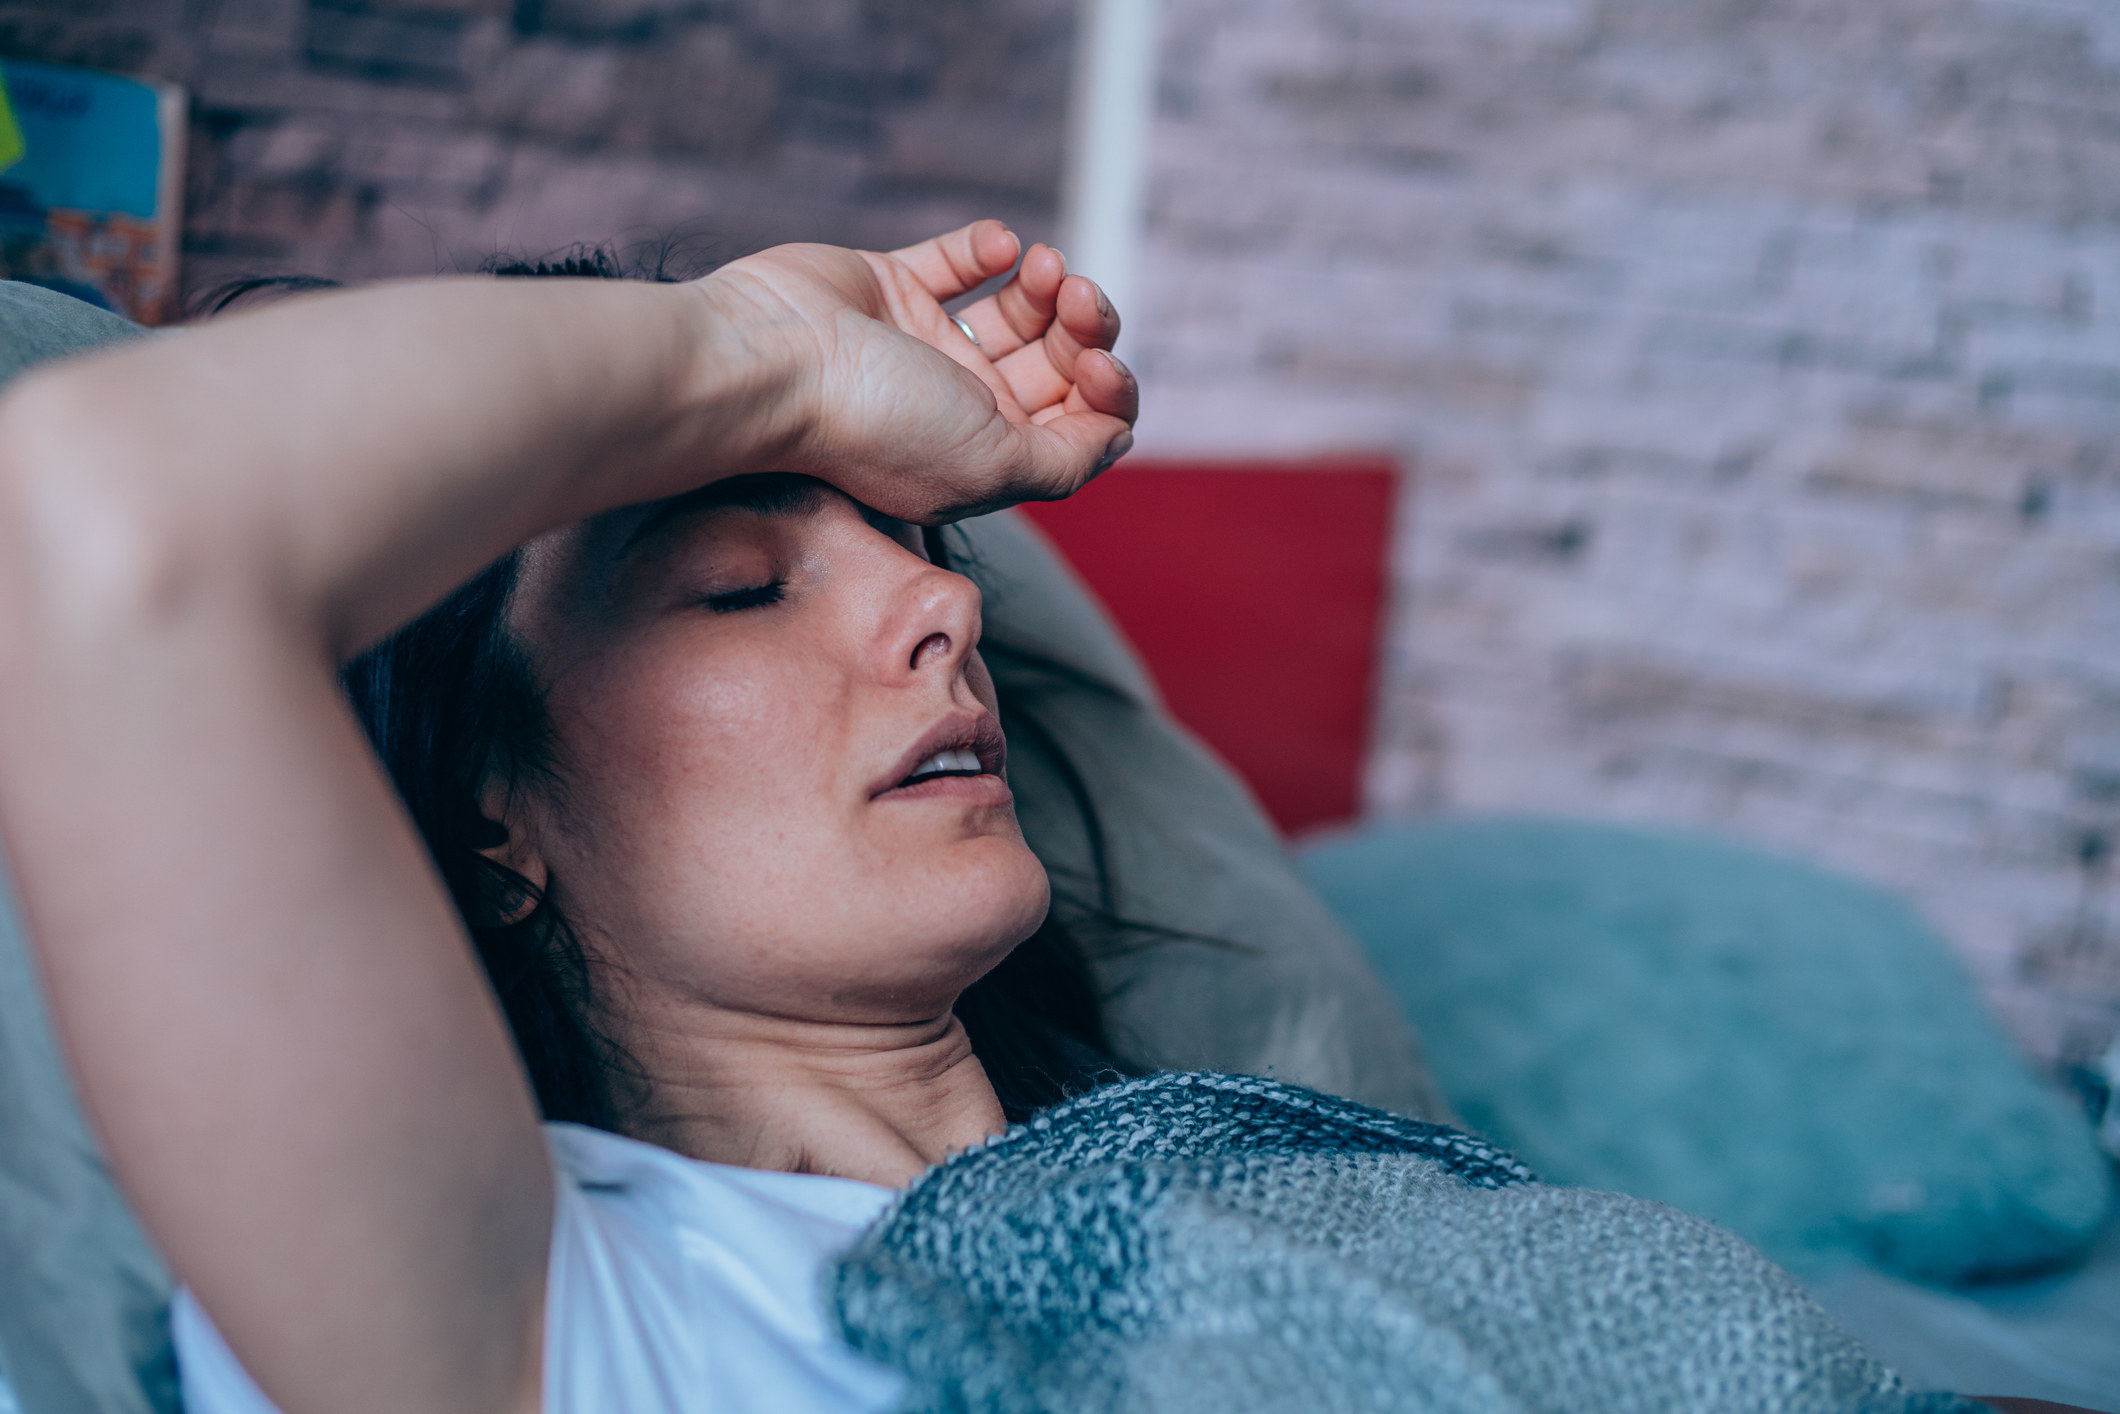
(898, 408)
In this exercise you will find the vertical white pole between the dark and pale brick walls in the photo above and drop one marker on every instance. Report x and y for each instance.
(1103, 198)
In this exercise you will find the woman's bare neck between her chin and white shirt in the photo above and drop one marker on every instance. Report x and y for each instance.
(860, 1101)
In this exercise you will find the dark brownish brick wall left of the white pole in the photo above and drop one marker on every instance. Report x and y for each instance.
(404, 137)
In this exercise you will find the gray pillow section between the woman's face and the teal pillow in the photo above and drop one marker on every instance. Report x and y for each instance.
(1275, 987)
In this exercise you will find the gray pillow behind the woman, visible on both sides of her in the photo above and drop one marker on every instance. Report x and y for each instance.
(1279, 991)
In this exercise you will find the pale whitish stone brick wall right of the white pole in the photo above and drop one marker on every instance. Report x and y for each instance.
(1761, 368)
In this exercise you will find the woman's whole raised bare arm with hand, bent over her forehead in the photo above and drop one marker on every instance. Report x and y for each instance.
(270, 1006)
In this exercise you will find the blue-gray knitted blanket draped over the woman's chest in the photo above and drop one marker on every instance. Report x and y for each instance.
(1235, 1245)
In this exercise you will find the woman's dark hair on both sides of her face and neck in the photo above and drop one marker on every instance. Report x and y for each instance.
(450, 703)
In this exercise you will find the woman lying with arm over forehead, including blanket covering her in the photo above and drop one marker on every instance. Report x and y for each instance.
(715, 785)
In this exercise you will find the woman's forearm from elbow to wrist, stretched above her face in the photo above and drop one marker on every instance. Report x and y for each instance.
(351, 457)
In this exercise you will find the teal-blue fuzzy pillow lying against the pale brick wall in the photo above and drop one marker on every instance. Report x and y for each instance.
(1759, 1042)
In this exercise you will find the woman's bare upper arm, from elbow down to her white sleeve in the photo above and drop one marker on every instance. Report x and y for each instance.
(277, 1023)
